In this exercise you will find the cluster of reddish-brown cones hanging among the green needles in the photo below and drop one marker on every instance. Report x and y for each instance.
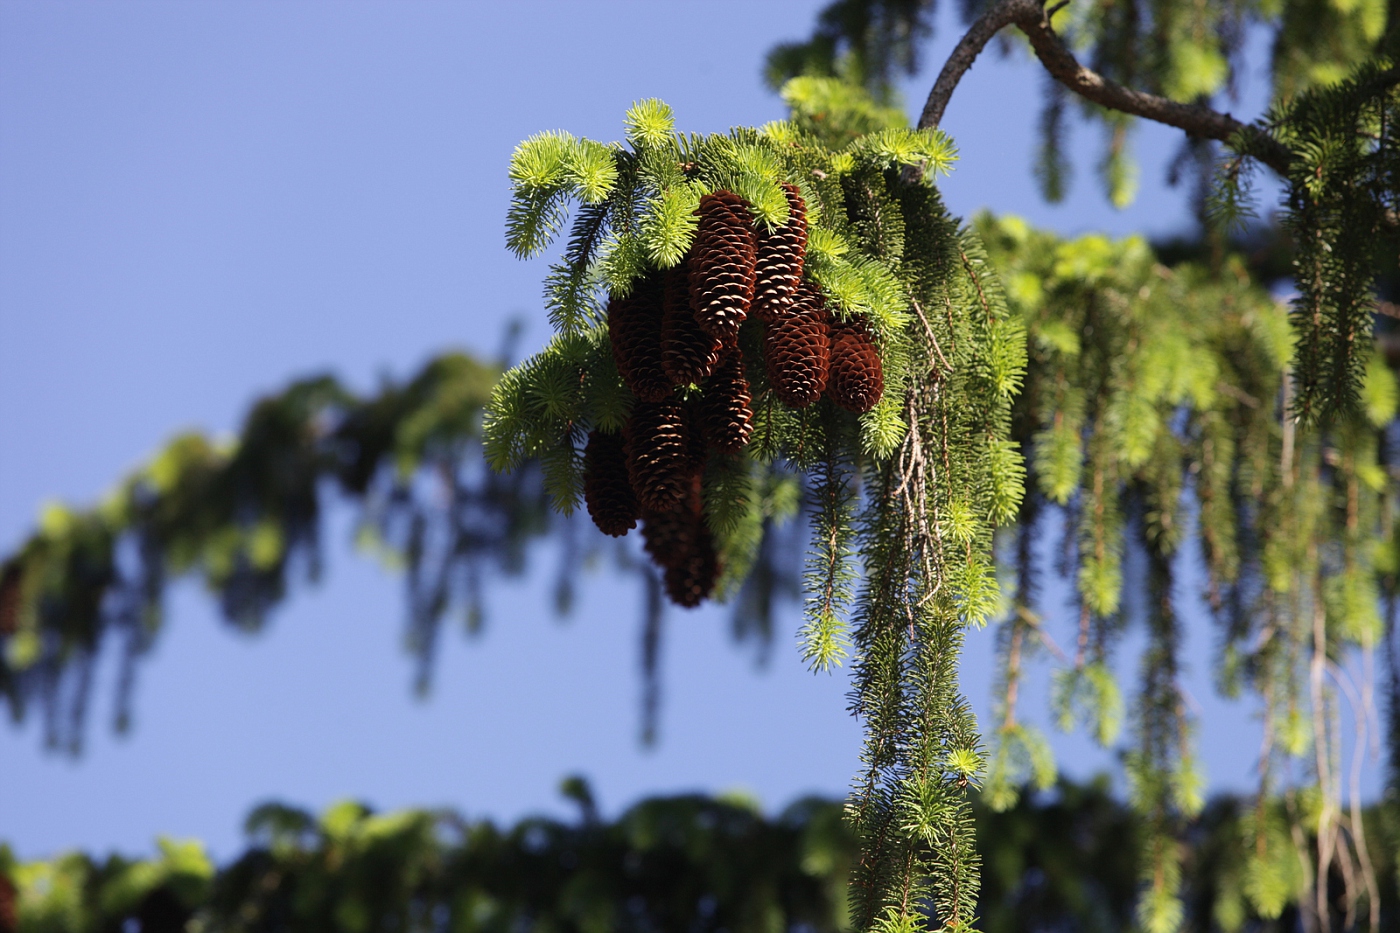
(682, 329)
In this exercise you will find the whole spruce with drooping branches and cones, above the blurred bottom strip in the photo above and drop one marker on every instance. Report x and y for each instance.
(787, 313)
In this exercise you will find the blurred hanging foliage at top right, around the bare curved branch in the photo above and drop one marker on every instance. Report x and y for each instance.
(1185, 51)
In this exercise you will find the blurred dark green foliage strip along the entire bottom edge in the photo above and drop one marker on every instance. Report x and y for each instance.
(1056, 861)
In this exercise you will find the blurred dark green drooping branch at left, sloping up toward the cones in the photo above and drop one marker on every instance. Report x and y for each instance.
(244, 518)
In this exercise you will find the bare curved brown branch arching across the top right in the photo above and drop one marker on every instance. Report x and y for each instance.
(1030, 16)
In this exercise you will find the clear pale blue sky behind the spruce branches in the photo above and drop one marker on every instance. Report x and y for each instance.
(202, 201)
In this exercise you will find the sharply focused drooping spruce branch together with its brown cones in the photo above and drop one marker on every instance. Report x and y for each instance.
(737, 309)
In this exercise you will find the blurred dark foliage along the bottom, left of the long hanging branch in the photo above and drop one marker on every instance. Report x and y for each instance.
(666, 865)
